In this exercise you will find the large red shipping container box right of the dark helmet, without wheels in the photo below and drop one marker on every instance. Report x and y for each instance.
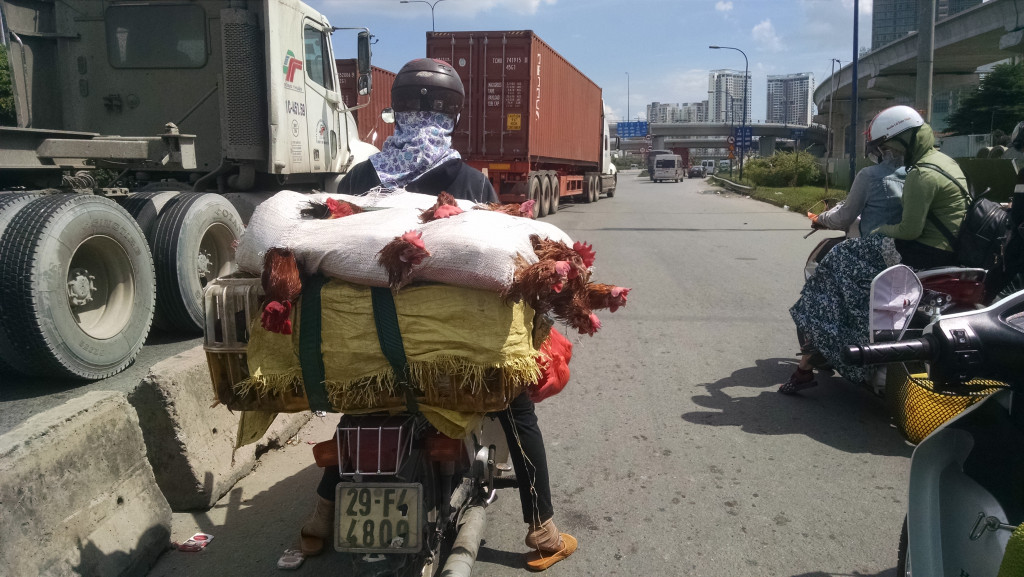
(524, 102)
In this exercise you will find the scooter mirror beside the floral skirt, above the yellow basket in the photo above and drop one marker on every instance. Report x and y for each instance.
(895, 296)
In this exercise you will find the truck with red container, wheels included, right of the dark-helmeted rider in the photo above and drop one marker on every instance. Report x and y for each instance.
(532, 122)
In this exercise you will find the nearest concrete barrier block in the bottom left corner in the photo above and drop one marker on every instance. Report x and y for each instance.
(77, 493)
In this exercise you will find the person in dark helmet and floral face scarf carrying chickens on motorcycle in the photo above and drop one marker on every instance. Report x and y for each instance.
(428, 98)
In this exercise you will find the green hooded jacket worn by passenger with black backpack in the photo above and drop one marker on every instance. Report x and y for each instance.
(927, 191)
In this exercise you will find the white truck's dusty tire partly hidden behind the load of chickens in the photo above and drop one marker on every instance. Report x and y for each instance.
(192, 245)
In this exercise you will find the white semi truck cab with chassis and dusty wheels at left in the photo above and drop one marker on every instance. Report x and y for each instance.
(193, 112)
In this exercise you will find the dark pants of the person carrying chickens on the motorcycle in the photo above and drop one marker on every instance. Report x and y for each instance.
(531, 463)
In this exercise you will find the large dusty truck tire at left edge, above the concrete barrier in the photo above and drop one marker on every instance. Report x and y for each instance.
(77, 288)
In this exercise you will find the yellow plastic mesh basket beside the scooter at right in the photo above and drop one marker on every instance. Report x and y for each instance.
(919, 408)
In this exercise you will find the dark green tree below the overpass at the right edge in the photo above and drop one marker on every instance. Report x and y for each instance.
(998, 104)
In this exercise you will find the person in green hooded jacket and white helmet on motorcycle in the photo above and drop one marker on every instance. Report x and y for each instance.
(929, 196)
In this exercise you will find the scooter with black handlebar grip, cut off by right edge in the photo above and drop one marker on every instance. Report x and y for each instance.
(966, 478)
